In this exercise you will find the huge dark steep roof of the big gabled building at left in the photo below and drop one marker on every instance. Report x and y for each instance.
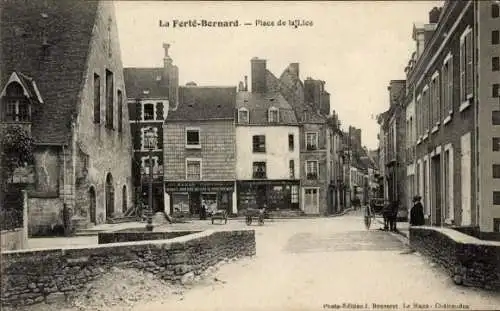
(58, 69)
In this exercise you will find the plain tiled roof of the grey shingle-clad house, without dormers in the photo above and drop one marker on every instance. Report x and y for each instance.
(204, 103)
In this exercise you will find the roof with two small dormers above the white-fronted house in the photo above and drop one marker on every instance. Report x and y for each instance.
(258, 106)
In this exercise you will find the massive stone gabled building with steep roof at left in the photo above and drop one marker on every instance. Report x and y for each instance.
(62, 79)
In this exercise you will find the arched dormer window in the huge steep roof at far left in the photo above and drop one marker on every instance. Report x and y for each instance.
(16, 106)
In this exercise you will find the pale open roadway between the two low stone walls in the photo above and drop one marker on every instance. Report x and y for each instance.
(309, 264)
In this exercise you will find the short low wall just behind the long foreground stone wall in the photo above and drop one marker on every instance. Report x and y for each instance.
(130, 236)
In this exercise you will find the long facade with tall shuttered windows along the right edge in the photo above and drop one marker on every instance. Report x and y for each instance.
(452, 95)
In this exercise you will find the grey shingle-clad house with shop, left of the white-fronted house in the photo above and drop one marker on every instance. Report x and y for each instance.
(200, 150)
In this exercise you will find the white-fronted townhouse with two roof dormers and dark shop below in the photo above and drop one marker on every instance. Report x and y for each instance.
(267, 152)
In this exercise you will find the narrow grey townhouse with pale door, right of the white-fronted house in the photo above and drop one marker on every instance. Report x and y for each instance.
(311, 104)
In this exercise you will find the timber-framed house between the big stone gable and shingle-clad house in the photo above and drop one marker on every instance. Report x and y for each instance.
(150, 94)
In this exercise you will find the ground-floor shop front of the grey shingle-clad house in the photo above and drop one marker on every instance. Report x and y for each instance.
(187, 197)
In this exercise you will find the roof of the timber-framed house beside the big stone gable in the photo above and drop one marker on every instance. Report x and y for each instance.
(138, 80)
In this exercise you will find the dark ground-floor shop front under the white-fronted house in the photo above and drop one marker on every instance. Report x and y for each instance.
(272, 194)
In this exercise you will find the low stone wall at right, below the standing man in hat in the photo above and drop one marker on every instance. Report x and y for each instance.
(470, 261)
